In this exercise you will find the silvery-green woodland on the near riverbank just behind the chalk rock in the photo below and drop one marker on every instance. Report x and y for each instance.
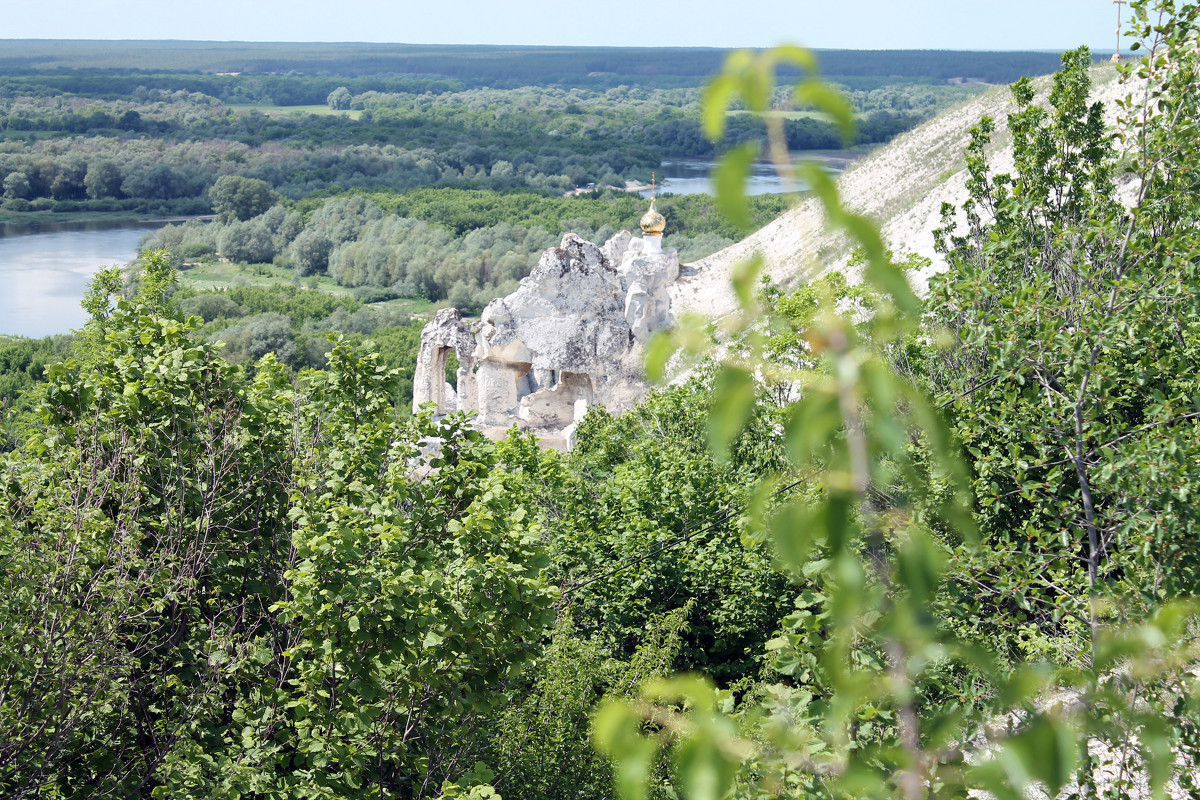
(463, 246)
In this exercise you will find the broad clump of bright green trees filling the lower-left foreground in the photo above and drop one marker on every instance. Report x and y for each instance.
(224, 584)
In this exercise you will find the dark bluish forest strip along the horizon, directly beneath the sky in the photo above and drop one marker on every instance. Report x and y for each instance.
(410, 67)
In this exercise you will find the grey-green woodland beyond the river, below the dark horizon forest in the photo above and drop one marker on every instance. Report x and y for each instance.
(161, 152)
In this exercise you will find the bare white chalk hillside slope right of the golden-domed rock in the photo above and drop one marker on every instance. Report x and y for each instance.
(902, 187)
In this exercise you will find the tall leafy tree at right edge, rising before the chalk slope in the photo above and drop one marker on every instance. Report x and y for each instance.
(1077, 322)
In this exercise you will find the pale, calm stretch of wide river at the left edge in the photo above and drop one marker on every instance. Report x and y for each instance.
(45, 269)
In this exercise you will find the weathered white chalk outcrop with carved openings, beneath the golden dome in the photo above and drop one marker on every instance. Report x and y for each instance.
(572, 335)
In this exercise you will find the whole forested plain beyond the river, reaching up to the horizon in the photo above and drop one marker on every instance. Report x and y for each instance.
(77, 137)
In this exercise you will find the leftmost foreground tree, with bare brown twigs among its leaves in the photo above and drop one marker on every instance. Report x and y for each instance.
(122, 562)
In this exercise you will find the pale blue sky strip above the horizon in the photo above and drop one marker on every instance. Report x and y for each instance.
(856, 25)
